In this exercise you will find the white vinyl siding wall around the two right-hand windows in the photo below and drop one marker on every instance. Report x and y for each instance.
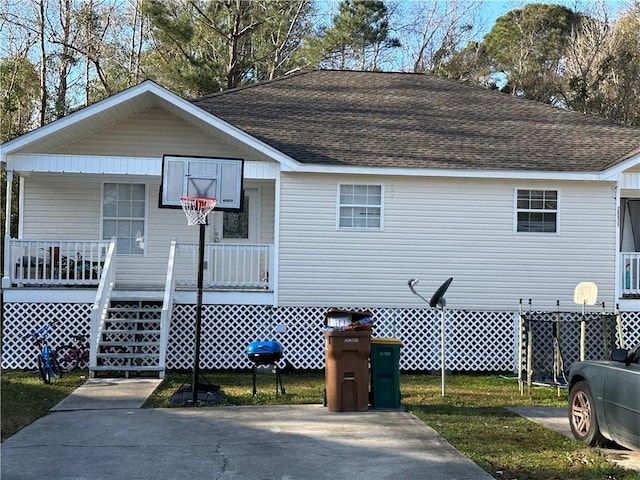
(439, 228)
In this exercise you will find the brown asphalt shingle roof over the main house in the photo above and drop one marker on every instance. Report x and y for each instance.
(374, 119)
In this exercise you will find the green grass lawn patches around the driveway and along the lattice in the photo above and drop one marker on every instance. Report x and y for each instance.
(472, 417)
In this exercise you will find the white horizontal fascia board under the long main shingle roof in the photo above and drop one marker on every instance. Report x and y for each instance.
(454, 173)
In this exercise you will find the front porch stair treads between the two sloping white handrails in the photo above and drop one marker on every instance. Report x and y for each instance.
(129, 339)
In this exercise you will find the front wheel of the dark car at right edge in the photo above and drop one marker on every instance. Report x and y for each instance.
(582, 415)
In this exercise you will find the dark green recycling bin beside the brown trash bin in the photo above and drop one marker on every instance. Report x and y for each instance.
(385, 372)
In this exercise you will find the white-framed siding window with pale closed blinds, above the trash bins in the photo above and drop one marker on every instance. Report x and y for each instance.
(360, 207)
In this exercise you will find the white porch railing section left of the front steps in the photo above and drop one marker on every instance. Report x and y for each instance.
(54, 262)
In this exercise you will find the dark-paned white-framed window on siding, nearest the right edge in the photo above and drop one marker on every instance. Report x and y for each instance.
(537, 211)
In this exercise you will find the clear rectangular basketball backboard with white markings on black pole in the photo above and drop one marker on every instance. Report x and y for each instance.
(206, 177)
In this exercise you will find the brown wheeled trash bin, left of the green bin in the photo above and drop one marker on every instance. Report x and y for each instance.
(347, 370)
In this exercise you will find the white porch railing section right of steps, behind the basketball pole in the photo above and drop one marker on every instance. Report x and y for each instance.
(225, 266)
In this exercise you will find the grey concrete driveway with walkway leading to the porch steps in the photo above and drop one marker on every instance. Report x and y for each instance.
(99, 432)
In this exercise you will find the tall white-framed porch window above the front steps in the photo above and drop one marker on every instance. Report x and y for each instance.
(123, 216)
